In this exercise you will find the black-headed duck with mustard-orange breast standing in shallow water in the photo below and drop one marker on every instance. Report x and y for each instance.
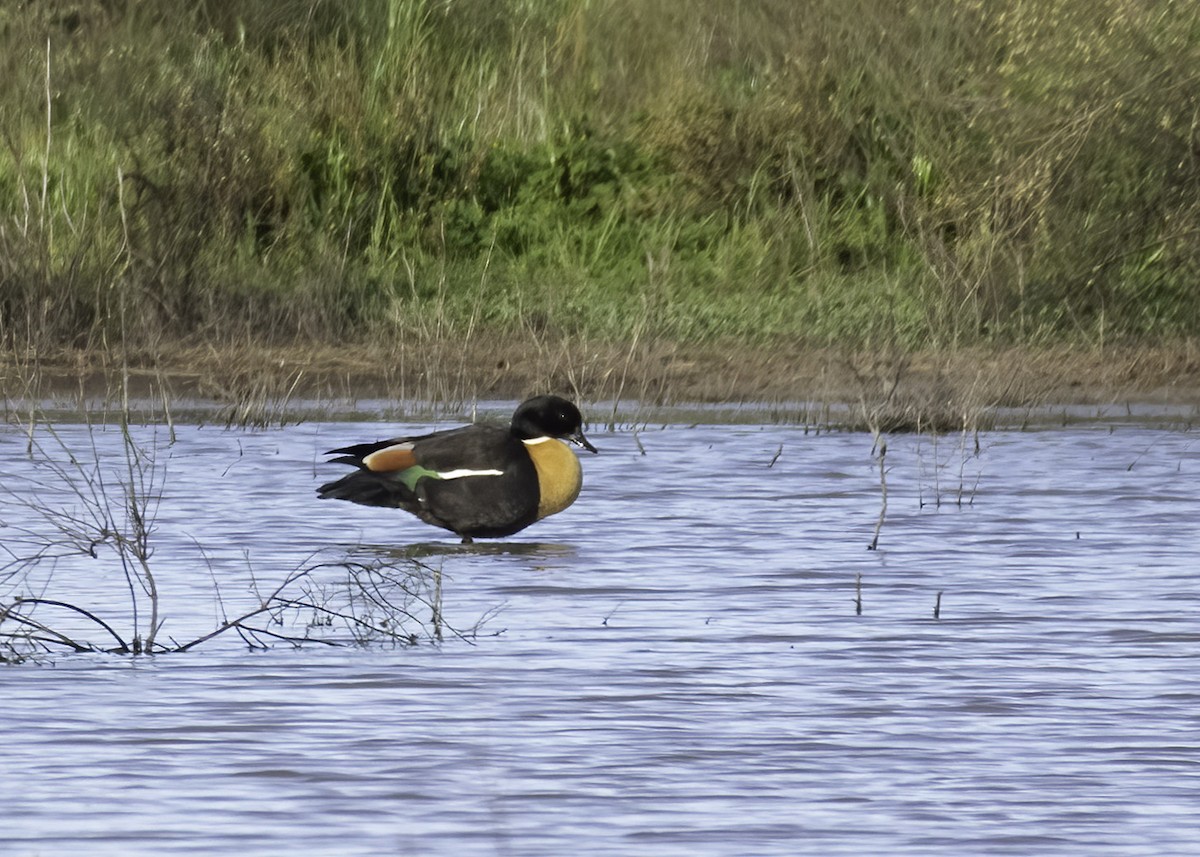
(477, 482)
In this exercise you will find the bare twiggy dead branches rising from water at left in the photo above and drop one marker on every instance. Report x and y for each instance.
(88, 505)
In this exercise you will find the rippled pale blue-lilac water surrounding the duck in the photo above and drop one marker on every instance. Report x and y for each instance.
(673, 667)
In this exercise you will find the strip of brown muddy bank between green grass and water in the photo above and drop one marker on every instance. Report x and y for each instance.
(655, 374)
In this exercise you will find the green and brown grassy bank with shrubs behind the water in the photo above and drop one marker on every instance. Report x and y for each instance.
(856, 175)
